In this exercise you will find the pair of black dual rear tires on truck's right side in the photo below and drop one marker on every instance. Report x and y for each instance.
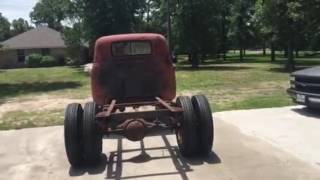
(195, 134)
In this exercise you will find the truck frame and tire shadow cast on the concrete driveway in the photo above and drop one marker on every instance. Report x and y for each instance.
(114, 165)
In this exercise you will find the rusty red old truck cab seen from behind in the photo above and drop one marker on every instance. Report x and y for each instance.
(131, 68)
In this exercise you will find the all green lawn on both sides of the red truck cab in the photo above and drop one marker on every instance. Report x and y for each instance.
(229, 85)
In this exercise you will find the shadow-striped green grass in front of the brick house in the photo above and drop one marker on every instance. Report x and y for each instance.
(59, 81)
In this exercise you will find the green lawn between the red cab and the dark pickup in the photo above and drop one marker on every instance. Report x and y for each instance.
(231, 85)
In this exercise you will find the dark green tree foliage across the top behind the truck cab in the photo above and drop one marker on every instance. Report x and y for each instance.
(199, 27)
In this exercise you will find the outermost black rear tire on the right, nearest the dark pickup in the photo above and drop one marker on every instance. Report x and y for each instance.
(205, 123)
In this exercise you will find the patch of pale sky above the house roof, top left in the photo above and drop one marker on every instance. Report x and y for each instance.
(14, 9)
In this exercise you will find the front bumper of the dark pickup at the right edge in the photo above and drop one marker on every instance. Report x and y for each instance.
(303, 98)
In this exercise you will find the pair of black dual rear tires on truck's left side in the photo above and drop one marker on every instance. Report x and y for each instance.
(83, 138)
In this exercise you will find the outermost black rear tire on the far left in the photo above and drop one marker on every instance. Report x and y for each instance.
(73, 134)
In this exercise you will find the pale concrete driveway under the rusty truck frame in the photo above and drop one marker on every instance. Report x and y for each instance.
(277, 143)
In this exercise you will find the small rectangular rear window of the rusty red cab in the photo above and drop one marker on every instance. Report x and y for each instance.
(131, 48)
